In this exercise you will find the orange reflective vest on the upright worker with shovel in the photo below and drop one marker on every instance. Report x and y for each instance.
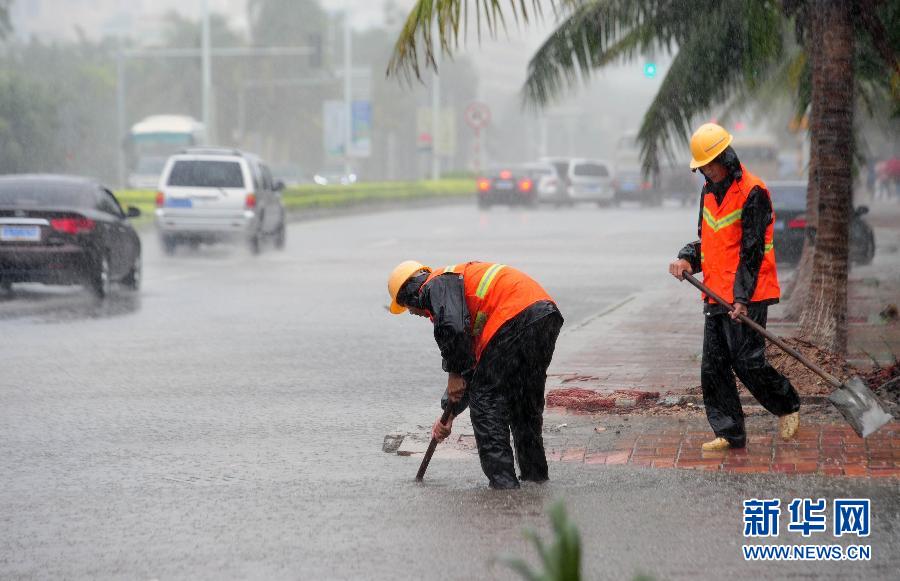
(720, 243)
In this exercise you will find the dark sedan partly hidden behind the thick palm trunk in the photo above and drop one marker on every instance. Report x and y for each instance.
(789, 201)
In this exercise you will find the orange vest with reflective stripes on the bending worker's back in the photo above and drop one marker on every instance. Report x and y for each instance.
(495, 293)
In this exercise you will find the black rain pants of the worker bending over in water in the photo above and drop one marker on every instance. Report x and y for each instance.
(506, 394)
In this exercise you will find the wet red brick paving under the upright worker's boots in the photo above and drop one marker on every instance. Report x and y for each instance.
(828, 449)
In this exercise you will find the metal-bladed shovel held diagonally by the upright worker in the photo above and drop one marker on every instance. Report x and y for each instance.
(856, 402)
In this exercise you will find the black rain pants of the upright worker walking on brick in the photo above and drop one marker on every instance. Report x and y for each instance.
(729, 349)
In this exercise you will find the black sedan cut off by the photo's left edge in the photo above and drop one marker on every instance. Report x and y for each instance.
(66, 230)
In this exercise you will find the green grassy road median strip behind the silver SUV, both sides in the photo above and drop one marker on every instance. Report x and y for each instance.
(313, 196)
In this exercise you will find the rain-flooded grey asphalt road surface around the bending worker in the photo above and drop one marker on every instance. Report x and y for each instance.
(226, 422)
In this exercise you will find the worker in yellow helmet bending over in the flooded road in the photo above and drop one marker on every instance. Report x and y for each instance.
(496, 329)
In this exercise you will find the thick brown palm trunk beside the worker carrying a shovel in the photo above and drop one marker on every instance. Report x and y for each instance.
(824, 317)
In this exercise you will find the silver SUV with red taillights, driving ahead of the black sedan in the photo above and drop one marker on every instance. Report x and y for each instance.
(209, 195)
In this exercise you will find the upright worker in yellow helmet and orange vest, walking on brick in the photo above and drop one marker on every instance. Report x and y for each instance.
(737, 257)
